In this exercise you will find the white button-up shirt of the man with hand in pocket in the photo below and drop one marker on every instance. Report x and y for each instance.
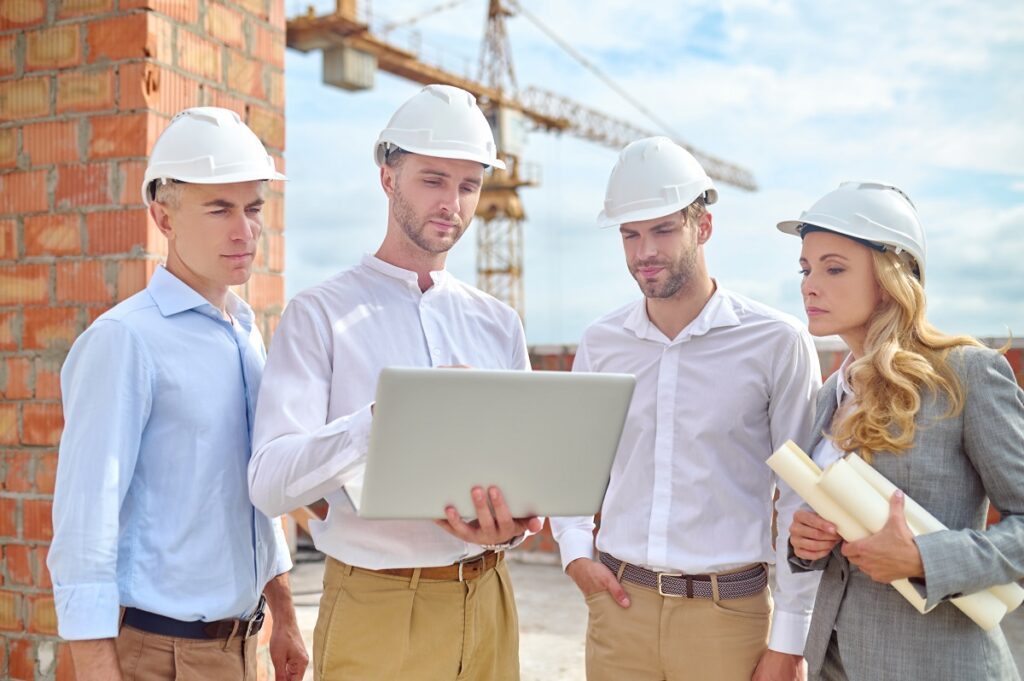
(690, 489)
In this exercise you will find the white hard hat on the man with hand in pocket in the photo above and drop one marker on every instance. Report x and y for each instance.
(654, 178)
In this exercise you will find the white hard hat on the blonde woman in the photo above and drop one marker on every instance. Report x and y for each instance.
(877, 214)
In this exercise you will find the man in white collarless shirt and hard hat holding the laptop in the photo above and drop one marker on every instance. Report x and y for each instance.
(403, 600)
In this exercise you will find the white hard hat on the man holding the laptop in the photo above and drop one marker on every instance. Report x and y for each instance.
(441, 121)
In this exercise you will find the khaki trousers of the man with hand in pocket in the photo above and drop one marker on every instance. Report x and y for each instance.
(665, 639)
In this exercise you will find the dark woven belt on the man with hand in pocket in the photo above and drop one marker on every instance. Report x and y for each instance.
(732, 585)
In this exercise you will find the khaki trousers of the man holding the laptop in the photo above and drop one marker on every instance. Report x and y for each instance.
(377, 627)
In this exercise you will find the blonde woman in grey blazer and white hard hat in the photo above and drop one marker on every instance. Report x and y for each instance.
(938, 415)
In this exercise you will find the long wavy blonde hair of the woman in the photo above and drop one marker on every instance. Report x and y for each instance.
(905, 357)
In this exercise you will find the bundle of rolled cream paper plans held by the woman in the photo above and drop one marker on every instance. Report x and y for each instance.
(856, 498)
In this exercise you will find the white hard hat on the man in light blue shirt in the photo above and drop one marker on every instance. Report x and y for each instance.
(208, 146)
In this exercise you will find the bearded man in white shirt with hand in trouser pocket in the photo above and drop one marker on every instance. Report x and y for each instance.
(679, 587)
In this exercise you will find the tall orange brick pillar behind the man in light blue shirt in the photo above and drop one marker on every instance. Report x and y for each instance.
(87, 87)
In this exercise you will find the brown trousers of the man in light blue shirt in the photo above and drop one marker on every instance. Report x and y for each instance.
(148, 657)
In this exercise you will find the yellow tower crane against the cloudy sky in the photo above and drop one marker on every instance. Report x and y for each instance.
(354, 53)
